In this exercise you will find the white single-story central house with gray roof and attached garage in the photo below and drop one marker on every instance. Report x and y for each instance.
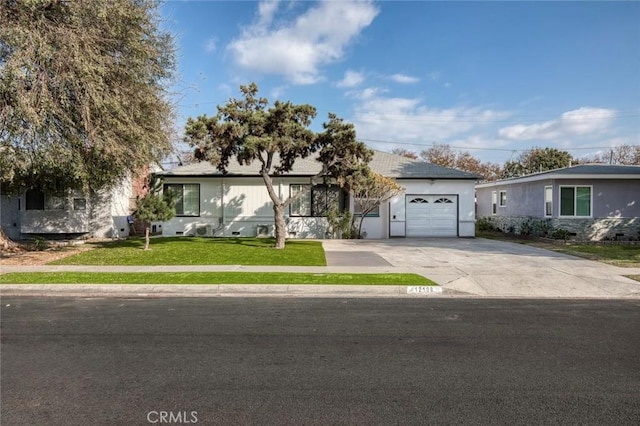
(437, 201)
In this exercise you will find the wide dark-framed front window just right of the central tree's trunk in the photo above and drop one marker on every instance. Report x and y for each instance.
(316, 201)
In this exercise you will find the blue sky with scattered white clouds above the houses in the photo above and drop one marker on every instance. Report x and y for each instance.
(494, 78)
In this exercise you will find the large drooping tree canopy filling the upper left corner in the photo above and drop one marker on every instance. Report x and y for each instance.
(83, 98)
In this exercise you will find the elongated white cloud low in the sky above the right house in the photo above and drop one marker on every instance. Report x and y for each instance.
(578, 122)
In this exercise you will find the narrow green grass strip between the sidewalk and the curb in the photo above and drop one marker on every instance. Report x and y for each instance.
(210, 278)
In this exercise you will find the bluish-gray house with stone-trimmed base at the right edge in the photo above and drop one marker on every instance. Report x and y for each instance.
(592, 202)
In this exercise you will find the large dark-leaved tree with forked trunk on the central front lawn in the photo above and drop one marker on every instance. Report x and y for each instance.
(247, 130)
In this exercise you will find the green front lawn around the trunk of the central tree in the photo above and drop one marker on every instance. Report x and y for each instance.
(201, 251)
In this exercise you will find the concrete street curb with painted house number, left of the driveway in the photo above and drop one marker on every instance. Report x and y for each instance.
(217, 290)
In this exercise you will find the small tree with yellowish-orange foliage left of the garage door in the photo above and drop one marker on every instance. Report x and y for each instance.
(369, 190)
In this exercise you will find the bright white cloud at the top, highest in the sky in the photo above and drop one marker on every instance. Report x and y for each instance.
(297, 49)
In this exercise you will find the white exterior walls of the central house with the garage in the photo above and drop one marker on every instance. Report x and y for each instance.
(237, 206)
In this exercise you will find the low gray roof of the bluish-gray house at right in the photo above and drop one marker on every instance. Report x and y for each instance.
(582, 171)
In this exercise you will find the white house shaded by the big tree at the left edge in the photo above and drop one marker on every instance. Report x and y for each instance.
(69, 214)
